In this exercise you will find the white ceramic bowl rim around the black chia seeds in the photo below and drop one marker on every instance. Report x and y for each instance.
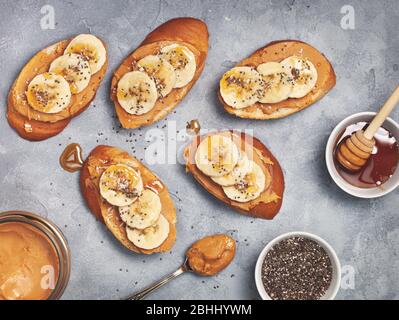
(336, 266)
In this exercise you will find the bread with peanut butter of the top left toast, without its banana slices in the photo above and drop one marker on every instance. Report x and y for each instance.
(35, 125)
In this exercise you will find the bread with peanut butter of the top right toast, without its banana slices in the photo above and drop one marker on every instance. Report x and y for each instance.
(278, 51)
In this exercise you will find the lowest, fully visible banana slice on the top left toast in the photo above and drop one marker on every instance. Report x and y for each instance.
(49, 93)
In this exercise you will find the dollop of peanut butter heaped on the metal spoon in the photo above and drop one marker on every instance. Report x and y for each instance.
(211, 254)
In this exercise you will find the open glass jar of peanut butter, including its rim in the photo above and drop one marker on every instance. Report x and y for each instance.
(35, 259)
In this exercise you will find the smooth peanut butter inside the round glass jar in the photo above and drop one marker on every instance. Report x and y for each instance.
(26, 256)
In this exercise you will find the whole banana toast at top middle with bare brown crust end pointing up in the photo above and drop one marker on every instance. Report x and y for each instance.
(153, 79)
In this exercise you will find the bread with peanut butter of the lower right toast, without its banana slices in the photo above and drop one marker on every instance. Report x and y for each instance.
(268, 204)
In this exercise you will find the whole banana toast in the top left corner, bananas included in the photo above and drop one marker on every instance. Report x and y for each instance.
(58, 83)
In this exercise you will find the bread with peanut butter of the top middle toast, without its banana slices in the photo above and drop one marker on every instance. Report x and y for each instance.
(192, 33)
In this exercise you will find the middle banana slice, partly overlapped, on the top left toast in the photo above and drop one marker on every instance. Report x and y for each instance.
(74, 69)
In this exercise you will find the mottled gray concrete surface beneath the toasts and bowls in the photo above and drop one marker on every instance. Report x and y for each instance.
(365, 233)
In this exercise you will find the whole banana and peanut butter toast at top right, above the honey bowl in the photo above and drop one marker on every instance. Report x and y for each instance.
(277, 80)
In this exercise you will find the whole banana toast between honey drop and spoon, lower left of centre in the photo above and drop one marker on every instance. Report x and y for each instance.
(131, 200)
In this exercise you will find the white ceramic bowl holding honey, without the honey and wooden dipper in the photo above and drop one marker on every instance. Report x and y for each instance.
(384, 189)
